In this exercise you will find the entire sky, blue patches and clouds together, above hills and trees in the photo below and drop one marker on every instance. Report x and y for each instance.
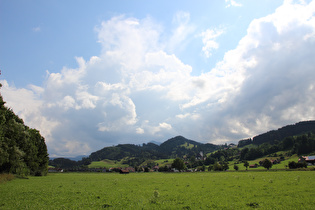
(92, 74)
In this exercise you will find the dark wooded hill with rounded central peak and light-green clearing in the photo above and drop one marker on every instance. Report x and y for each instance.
(177, 146)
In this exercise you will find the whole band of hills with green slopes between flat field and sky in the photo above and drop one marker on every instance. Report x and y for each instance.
(199, 156)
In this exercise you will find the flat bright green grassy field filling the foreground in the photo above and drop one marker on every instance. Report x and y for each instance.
(205, 190)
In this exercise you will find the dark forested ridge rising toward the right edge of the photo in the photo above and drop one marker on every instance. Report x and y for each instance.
(274, 136)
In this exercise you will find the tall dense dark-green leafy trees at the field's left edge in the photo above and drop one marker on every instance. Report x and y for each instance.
(23, 150)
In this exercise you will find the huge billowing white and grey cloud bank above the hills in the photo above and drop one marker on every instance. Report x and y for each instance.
(137, 90)
